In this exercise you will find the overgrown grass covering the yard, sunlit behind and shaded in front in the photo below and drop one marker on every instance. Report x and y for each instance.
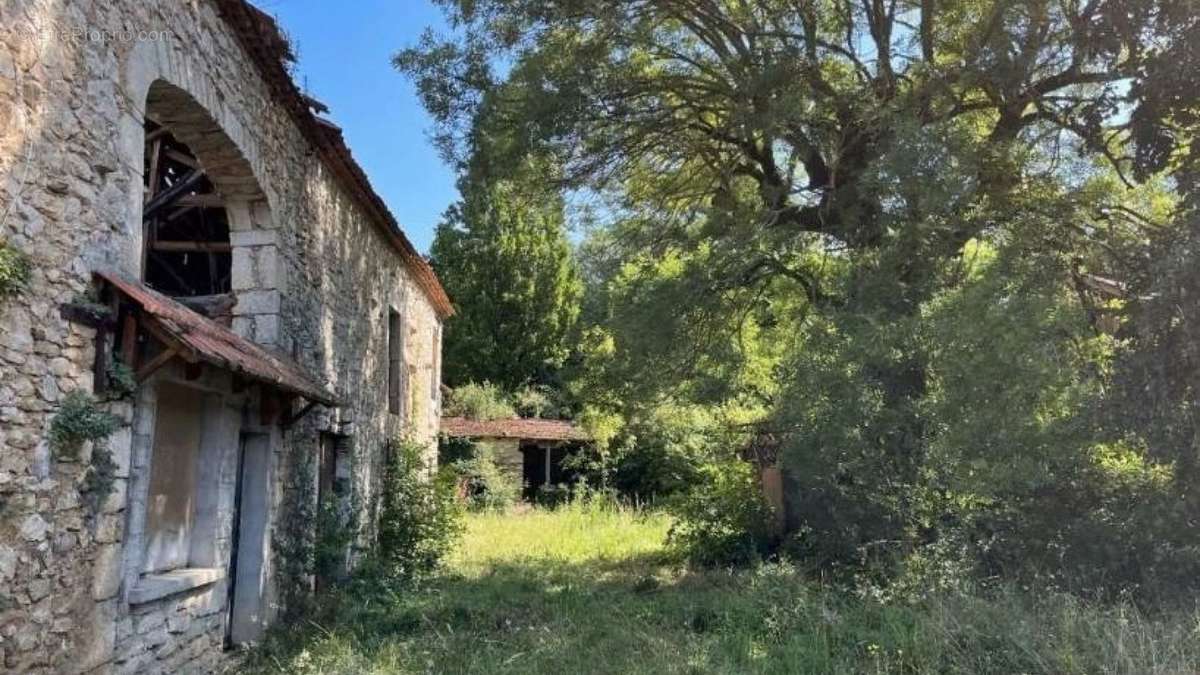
(590, 589)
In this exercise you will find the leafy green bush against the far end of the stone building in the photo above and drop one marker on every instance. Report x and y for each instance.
(419, 519)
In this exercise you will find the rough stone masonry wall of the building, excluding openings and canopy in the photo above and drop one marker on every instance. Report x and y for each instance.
(315, 278)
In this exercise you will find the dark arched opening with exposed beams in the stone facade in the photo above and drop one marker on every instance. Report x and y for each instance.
(187, 252)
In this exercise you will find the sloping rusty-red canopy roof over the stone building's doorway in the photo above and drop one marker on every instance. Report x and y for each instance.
(206, 341)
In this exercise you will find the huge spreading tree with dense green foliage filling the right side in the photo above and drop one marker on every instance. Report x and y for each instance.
(903, 249)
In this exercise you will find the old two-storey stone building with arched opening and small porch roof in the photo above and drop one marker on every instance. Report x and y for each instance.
(211, 270)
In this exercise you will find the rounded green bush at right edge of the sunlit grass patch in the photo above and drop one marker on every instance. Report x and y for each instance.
(724, 518)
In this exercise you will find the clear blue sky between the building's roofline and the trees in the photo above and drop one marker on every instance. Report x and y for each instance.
(346, 52)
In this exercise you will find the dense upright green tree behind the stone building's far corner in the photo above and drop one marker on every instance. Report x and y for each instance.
(505, 259)
